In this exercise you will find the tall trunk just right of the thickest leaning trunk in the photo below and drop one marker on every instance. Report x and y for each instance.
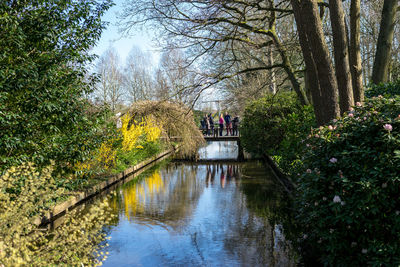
(340, 45)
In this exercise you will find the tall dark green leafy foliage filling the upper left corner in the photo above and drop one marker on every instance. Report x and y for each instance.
(43, 79)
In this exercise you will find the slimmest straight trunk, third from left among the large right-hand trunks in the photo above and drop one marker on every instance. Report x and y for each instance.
(355, 51)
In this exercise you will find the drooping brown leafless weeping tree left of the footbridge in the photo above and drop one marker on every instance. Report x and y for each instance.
(174, 119)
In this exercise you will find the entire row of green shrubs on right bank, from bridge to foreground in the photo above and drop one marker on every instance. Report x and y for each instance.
(347, 201)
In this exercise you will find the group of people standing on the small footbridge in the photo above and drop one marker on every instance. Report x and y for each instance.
(231, 125)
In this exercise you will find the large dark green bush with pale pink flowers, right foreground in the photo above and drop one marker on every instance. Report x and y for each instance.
(348, 188)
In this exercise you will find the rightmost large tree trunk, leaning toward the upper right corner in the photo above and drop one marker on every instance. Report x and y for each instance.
(384, 45)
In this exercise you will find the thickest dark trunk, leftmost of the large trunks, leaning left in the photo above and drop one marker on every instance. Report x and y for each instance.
(311, 23)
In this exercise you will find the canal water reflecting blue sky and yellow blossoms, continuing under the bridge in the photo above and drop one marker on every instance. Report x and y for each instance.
(209, 214)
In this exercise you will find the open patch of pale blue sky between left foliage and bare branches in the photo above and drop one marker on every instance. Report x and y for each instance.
(112, 37)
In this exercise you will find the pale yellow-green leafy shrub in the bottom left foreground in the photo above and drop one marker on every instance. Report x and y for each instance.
(76, 242)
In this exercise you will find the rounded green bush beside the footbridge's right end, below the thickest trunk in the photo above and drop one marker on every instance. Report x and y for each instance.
(277, 125)
